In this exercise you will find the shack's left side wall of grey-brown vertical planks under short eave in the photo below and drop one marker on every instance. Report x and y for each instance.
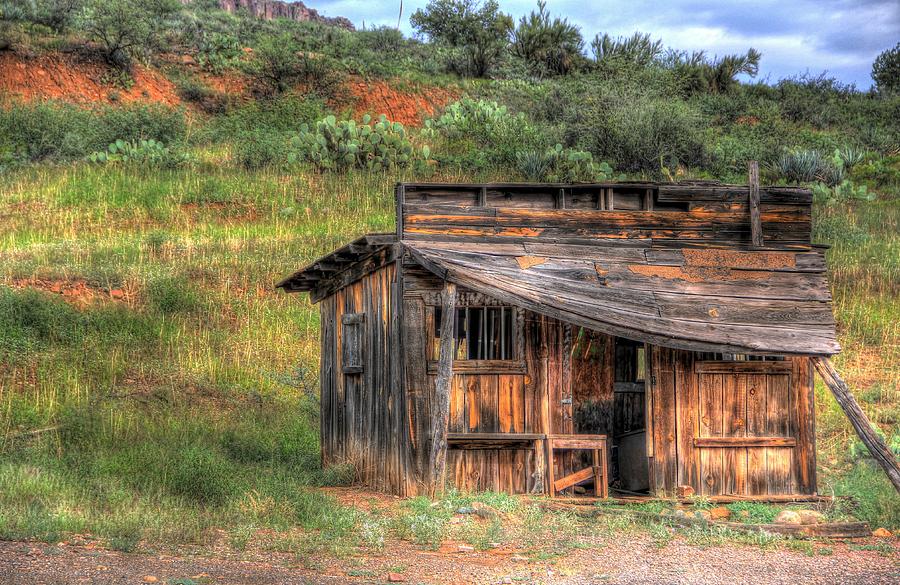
(363, 418)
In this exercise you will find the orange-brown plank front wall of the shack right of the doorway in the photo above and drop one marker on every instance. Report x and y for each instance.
(732, 427)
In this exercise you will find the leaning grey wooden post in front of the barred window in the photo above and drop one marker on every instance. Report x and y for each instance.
(440, 412)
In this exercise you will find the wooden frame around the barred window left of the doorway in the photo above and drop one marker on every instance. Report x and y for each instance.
(515, 365)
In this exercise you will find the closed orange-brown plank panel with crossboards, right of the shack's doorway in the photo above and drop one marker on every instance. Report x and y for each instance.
(746, 430)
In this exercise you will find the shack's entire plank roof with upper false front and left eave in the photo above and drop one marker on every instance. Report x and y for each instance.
(671, 264)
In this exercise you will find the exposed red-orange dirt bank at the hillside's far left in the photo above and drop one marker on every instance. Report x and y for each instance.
(57, 76)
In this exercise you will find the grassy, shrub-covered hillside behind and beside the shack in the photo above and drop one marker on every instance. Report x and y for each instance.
(154, 386)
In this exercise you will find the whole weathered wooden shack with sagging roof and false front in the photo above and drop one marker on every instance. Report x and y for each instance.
(637, 337)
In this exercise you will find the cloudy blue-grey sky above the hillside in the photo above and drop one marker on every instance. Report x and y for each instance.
(839, 37)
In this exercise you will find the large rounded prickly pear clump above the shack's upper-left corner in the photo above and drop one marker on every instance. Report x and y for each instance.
(343, 145)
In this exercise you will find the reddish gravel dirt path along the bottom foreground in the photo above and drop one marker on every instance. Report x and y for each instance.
(633, 560)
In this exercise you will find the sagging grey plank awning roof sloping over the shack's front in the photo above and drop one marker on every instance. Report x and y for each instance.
(696, 299)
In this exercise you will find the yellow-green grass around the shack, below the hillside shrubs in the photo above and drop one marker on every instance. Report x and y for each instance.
(187, 401)
